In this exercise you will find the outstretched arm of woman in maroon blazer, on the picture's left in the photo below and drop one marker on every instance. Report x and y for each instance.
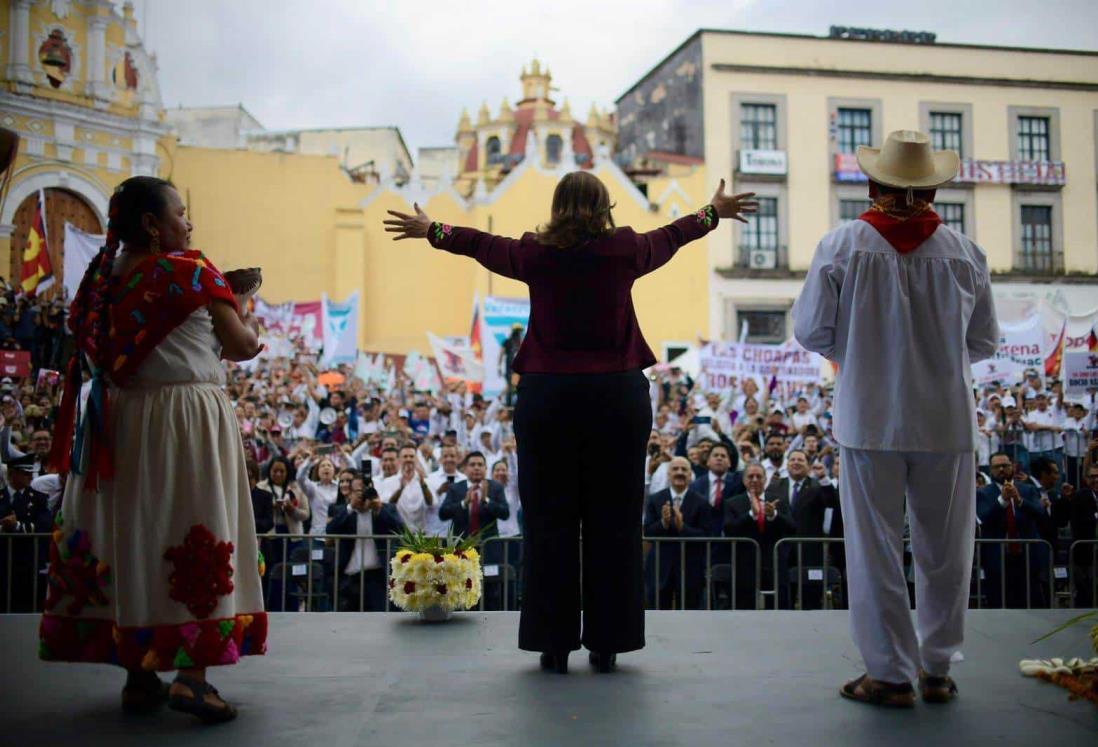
(503, 257)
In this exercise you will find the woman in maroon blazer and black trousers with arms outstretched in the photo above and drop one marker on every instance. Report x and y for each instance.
(584, 353)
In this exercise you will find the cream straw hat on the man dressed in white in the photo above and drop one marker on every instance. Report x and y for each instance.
(907, 162)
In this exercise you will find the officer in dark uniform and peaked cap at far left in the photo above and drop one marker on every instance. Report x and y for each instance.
(24, 511)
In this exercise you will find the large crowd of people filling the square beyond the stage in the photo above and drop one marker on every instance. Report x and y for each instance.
(333, 456)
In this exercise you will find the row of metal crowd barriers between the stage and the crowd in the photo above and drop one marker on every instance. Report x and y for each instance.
(308, 572)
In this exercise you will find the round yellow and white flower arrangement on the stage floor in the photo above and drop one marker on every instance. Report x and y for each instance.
(435, 576)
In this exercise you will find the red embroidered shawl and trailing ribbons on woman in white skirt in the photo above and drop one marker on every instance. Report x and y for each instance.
(145, 307)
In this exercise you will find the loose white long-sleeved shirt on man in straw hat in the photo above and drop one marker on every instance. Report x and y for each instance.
(904, 330)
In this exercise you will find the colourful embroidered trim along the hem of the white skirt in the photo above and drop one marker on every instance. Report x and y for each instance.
(207, 643)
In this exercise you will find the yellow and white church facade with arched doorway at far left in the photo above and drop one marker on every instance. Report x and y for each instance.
(82, 92)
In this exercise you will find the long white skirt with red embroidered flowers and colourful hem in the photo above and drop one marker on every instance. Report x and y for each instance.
(159, 568)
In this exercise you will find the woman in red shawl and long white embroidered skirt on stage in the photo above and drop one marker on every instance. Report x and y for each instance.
(154, 561)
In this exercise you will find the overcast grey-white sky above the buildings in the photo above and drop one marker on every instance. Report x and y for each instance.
(416, 64)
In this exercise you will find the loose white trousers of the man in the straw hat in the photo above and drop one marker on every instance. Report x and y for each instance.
(940, 489)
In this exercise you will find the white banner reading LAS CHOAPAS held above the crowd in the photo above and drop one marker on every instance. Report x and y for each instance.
(722, 363)
